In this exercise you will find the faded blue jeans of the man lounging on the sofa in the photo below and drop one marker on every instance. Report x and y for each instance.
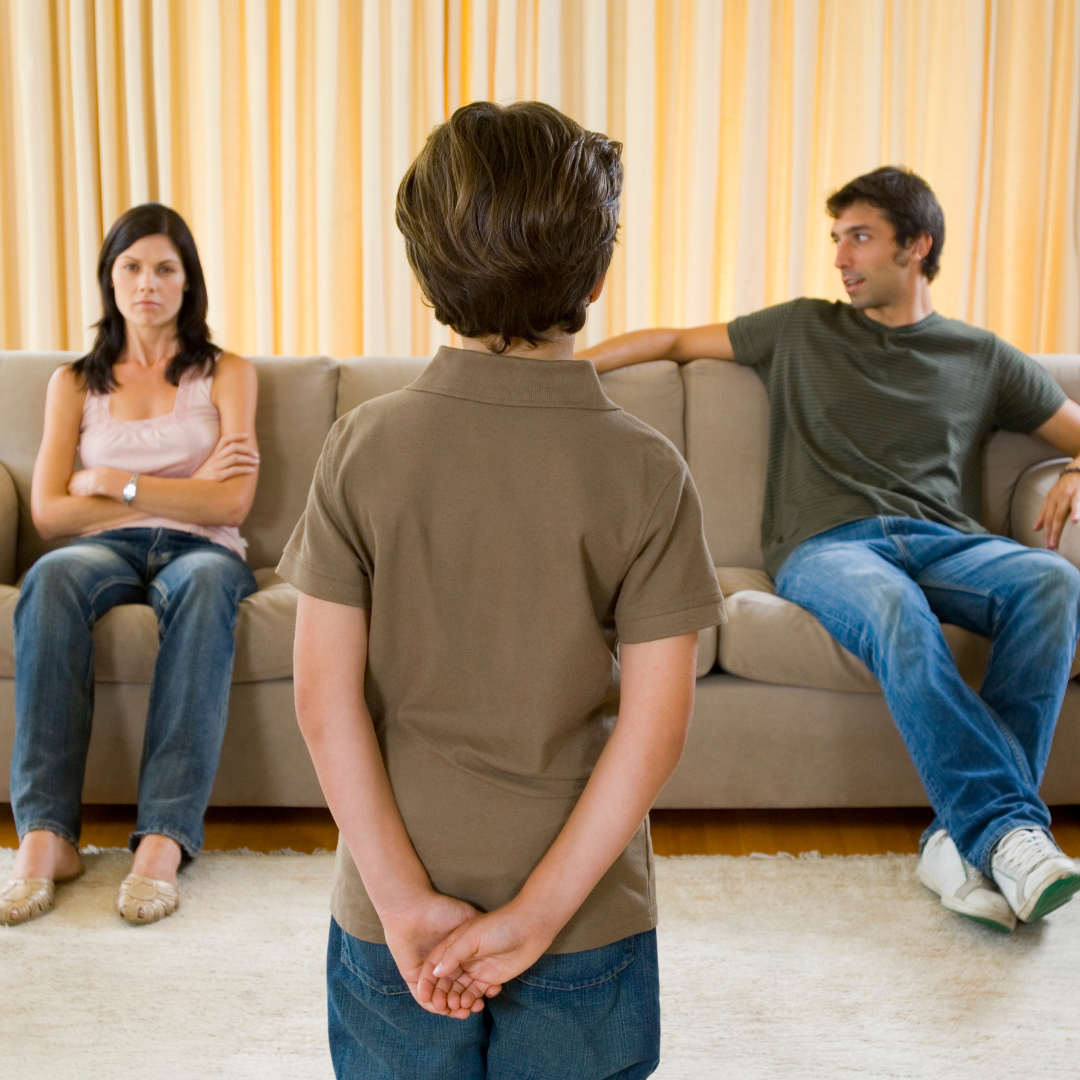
(882, 587)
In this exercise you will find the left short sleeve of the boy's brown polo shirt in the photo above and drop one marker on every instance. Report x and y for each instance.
(327, 558)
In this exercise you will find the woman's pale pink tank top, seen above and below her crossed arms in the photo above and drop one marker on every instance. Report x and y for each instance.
(174, 445)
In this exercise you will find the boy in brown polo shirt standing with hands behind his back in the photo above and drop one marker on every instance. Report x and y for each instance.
(476, 549)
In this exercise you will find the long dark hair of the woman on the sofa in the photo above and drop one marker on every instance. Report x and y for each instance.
(197, 352)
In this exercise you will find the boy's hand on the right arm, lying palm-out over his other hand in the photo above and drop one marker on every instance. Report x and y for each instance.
(479, 957)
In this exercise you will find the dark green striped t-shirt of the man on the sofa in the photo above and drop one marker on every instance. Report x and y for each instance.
(871, 421)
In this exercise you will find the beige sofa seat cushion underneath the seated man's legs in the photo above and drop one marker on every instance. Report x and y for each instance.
(771, 640)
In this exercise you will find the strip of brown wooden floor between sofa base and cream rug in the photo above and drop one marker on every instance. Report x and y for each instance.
(674, 832)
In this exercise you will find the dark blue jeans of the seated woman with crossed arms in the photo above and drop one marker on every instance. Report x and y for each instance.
(194, 587)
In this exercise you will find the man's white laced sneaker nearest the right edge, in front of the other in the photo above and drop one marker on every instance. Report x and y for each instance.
(1033, 873)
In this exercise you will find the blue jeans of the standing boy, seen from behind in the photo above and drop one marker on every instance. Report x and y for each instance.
(580, 1016)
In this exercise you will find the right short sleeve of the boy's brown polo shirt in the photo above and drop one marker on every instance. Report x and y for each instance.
(671, 588)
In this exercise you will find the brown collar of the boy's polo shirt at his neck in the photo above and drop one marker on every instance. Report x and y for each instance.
(514, 381)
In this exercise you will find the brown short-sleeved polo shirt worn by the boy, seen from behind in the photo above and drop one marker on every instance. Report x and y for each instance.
(507, 525)
